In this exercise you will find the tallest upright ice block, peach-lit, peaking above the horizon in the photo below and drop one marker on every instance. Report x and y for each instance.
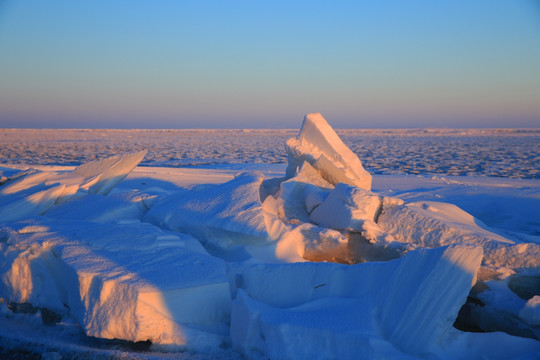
(318, 144)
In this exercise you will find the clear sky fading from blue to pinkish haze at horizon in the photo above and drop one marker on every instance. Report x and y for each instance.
(265, 64)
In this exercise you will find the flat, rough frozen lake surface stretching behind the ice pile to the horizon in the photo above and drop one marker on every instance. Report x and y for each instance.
(513, 153)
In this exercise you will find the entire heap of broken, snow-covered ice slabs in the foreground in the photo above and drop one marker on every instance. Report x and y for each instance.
(311, 265)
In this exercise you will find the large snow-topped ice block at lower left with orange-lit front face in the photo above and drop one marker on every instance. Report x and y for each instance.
(131, 282)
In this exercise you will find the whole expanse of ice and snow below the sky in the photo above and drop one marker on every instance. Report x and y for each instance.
(270, 244)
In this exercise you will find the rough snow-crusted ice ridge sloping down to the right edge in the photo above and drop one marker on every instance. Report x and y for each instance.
(432, 224)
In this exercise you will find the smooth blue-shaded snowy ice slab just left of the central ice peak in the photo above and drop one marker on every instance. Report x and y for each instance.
(220, 216)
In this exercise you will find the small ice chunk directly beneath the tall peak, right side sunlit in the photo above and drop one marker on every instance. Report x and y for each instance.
(347, 207)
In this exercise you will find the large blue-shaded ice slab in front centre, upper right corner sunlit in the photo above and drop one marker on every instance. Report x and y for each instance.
(372, 305)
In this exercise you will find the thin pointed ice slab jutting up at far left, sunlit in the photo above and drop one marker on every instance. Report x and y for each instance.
(102, 176)
